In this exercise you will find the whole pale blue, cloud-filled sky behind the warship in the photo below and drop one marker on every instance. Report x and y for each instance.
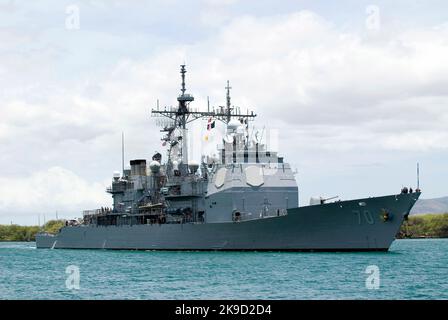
(357, 91)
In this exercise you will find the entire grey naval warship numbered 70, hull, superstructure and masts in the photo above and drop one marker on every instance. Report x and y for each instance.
(244, 198)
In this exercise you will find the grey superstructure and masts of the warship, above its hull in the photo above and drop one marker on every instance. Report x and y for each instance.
(245, 181)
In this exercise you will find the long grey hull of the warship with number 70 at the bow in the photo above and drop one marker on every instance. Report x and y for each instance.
(356, 225)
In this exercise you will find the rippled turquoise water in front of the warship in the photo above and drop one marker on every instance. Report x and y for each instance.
(413, 269)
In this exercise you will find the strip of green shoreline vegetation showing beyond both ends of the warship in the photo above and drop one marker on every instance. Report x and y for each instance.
(417, 227)
